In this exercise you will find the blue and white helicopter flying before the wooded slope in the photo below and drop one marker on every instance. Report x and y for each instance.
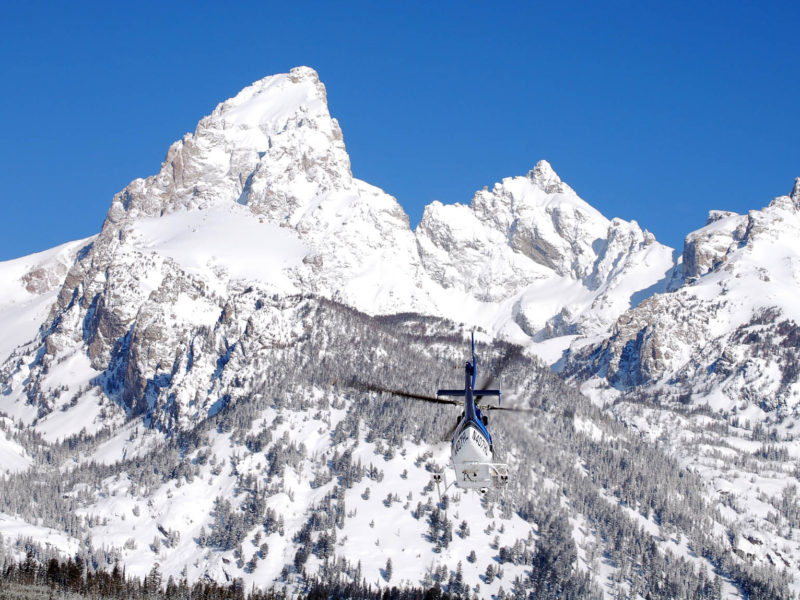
(471, 444)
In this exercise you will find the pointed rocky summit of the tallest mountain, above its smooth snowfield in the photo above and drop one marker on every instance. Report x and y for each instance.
(273, 147)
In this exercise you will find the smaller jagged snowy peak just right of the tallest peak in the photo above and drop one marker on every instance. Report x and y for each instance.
(568, 268)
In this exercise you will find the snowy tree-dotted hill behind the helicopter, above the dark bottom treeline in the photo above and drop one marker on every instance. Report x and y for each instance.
(301, 475)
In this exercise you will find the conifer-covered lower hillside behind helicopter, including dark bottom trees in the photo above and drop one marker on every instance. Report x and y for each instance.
(587, 496)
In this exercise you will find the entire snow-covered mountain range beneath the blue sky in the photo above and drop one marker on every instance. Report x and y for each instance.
(180, 388)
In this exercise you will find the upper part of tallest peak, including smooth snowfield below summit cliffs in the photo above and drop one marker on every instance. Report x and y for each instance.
(265, 184)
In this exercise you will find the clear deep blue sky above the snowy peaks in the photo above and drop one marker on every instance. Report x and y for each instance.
(652, 111)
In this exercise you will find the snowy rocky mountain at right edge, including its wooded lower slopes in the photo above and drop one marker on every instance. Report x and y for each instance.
(709, 370)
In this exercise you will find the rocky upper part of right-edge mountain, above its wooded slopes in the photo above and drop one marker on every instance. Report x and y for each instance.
(727, 330)
